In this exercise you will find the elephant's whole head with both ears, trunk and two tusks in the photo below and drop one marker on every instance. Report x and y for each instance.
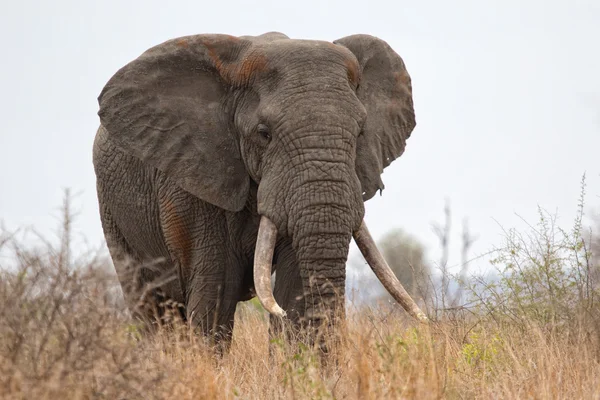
(310, 124)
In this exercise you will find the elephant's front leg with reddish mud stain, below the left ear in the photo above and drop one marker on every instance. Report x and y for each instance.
(210, 273)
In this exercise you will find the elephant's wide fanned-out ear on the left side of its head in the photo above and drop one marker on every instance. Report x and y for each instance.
(167, 109)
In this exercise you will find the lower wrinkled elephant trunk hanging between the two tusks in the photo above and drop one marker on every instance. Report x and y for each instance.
(325, 214)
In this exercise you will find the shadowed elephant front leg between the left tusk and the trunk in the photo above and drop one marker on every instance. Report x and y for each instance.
(288, 289)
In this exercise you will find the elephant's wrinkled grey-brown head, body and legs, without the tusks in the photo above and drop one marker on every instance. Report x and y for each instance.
(202, 135)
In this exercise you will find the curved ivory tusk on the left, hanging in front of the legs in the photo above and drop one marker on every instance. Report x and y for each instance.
(263, 261)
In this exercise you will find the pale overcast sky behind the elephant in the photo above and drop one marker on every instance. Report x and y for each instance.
(507, 98)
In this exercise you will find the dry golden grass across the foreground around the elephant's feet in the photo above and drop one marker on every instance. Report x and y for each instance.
(75, 345)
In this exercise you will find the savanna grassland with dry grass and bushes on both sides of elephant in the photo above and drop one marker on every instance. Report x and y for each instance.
(532, 332)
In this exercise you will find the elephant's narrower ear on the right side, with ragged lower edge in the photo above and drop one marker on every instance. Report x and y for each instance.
(386, 92)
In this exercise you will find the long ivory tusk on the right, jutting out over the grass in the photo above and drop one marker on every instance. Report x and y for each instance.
(384, 273)
